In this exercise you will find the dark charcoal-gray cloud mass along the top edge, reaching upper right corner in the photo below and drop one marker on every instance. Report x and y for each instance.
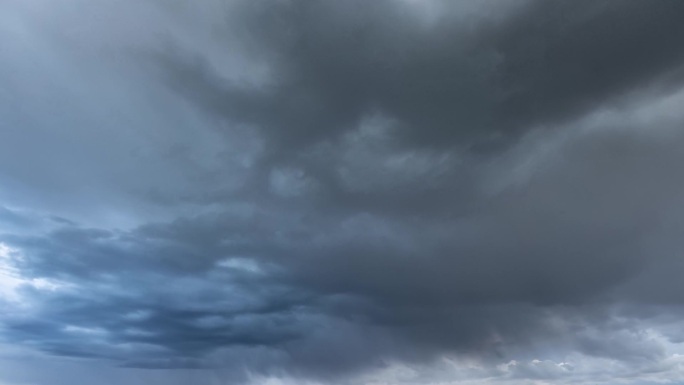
(447, 81)
